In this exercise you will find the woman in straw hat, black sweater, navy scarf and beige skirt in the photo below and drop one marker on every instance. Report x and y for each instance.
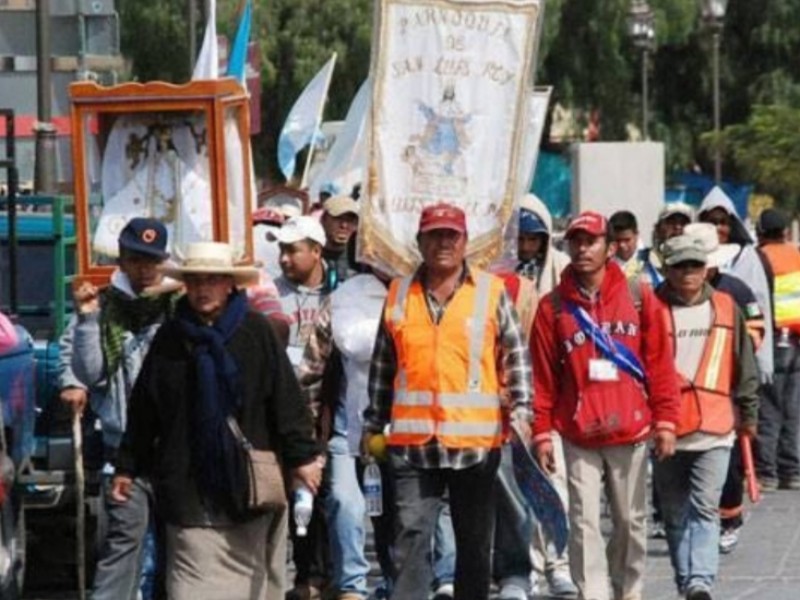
(216, 359)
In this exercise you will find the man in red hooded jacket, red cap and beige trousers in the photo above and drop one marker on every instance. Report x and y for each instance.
(605, 380)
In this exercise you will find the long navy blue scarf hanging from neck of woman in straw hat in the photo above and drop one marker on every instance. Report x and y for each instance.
(217, 459)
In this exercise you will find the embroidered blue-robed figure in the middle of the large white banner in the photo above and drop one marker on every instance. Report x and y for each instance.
(436, 154)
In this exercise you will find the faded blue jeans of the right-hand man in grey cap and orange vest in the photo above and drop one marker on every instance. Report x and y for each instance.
(690, 486)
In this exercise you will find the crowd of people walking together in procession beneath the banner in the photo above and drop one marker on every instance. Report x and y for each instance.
(610, 360)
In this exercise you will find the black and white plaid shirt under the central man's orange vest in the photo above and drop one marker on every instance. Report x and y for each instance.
(514, 361)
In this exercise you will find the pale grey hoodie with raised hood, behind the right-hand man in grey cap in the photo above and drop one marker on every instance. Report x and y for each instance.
(748, 267)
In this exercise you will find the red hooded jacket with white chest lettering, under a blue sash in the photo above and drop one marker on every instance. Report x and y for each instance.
(602, 413)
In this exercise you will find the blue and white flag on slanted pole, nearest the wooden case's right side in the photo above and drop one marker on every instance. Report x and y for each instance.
(302, 124)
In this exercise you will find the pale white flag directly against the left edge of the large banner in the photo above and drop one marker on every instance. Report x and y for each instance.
(346, 162)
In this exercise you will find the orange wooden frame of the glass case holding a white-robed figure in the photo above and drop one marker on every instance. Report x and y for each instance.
(211, 97)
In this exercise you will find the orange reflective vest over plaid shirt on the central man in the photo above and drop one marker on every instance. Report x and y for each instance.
(447, 383)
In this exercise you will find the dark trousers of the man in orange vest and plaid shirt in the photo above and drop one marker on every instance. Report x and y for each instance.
(419, 494)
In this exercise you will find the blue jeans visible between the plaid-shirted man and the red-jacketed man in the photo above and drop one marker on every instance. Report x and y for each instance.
(513, 528)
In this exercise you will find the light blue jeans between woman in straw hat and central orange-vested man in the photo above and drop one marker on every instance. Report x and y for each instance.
(346, 510)
